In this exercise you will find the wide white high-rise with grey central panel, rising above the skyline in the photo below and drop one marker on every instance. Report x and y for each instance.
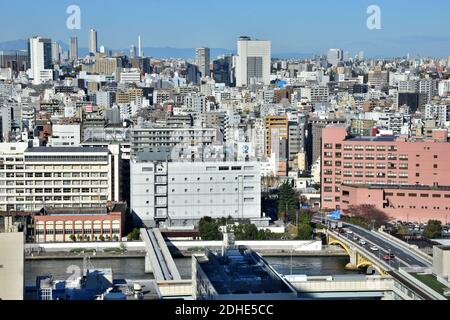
(253, 63)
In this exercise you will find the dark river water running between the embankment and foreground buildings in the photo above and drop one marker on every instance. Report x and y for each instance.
(133, 268)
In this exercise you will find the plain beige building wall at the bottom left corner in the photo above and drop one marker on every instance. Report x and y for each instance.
(12, 266)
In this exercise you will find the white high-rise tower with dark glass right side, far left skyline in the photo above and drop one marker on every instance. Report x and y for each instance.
(40, 51)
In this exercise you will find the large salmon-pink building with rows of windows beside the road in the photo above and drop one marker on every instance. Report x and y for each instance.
(408, 178)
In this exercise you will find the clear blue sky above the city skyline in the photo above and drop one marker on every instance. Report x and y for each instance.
(301, 26)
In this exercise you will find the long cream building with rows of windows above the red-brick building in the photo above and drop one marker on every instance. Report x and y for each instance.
(60, 177)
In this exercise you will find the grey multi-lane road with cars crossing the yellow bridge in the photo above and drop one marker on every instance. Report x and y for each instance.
(403, 257)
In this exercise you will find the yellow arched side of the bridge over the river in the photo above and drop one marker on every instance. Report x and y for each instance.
(358, 258)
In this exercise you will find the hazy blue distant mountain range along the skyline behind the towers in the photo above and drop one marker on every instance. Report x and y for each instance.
(157, 52)
